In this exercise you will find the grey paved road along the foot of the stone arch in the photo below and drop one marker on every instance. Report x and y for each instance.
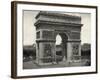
(32, 65)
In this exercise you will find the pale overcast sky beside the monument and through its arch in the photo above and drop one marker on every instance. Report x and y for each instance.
(29, 31)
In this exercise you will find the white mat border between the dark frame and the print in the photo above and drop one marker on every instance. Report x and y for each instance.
(31, 72)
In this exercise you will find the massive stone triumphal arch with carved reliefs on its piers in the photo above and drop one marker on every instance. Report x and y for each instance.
(48, 25)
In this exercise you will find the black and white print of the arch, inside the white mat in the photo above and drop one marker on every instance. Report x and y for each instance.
(56, 39)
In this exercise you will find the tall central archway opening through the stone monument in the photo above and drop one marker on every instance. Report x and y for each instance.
(61, 46)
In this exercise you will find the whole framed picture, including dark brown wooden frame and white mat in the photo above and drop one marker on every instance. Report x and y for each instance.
(53, 39)
